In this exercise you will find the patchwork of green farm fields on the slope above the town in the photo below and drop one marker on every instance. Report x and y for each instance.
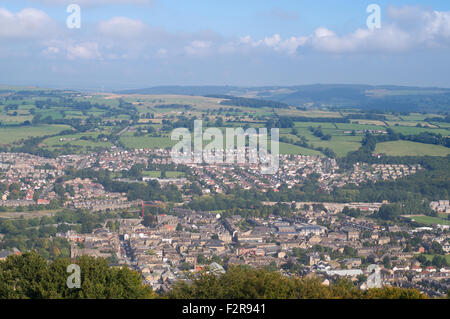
(207, 109)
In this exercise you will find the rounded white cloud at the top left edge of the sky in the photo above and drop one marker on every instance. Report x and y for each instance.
(27, 23)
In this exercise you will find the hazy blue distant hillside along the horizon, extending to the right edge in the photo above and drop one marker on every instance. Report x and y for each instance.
(366, 97)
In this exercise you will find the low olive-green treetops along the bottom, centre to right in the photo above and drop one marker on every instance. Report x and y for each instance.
(246, 283)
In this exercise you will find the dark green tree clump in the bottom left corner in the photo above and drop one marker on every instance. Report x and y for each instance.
(29, 276)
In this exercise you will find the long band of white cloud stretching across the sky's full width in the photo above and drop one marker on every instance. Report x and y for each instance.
(404, 29)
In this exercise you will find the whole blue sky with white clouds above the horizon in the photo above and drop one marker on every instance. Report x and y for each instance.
(125, 44)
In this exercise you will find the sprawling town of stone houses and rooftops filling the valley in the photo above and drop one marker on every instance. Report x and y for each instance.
(319, 239)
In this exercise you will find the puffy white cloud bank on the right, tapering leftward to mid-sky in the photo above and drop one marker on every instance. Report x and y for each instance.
(406, 29)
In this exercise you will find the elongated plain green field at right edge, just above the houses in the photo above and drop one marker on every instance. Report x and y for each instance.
(407, 148)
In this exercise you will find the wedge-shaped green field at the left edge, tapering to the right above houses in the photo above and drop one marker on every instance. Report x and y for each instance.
(13, 134)
